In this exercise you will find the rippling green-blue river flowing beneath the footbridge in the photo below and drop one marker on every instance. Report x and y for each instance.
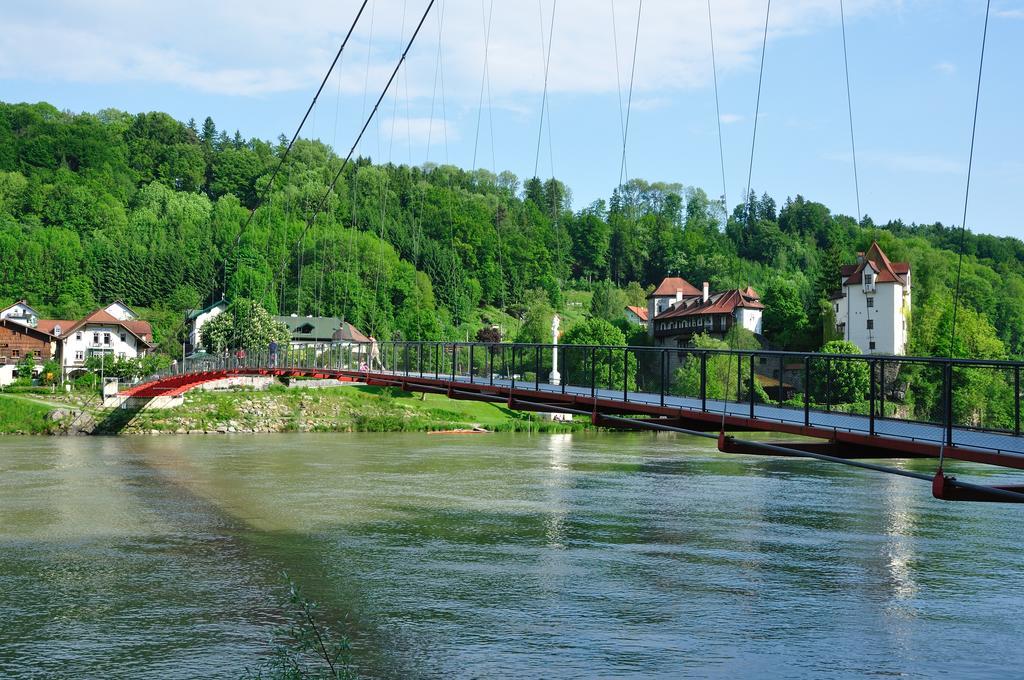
(495, 556)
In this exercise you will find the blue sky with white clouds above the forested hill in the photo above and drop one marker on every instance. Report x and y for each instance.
(254, 66)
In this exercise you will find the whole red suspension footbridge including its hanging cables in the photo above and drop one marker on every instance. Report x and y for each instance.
(669, 390)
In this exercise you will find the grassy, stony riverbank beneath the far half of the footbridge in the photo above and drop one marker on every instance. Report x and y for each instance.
(350, 409)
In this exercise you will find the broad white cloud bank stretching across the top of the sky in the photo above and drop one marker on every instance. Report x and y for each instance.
(259, 48)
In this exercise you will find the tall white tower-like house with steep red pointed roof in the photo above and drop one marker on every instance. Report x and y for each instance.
(873, 310)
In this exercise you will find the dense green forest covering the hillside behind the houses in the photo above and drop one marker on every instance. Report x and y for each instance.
(96, 207)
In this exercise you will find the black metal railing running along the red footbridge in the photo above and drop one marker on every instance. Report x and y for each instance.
(889, 395)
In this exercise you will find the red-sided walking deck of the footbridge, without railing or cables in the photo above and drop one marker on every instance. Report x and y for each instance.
(891, 438)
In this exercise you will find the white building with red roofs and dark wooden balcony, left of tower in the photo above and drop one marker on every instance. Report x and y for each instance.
(677, 312)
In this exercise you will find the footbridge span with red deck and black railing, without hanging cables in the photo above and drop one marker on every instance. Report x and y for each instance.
(854, 408)
